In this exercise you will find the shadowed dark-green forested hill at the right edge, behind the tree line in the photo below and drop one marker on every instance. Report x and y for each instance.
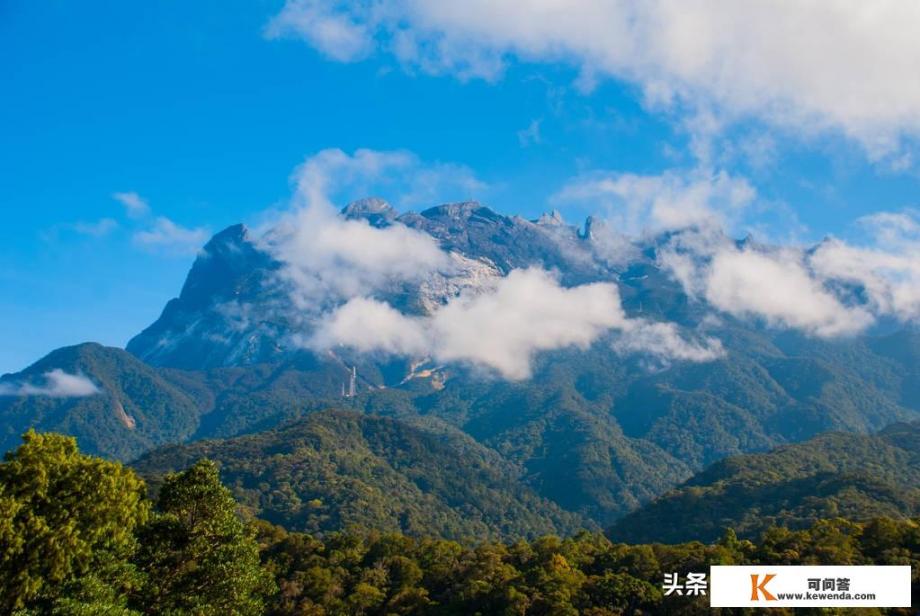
(848, 475)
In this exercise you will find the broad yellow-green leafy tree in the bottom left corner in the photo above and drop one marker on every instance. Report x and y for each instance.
(67, 523)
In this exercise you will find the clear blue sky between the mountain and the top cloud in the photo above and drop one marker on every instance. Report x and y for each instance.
(202, 114)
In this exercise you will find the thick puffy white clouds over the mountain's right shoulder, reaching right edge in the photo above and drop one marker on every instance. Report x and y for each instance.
(834, 289)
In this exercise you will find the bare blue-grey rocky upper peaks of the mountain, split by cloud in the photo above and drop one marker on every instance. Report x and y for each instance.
(235, 309)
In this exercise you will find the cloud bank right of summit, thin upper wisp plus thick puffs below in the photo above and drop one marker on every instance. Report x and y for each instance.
(837, 288)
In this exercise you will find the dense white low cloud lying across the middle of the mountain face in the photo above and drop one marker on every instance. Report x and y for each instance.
(503, 328)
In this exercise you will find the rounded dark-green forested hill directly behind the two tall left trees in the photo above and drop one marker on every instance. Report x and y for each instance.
(336, 468)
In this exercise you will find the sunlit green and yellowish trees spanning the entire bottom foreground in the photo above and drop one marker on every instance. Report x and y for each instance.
(78, 535)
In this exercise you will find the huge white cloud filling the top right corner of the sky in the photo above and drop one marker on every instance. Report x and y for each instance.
(808, 66)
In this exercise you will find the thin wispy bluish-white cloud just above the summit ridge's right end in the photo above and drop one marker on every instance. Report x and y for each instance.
(639, 204)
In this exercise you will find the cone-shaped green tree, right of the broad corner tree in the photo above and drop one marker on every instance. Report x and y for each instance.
(199, 556)
